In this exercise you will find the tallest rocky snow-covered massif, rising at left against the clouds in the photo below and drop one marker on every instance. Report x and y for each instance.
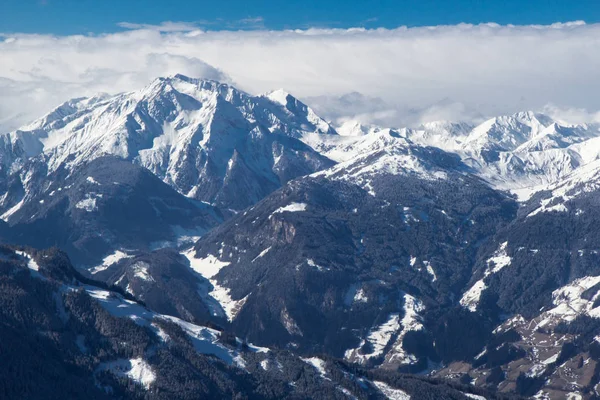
(208, 140)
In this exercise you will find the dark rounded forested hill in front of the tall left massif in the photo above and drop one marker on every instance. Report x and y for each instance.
(109, 204)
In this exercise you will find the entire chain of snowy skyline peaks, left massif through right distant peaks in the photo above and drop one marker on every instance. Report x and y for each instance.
(211, 141)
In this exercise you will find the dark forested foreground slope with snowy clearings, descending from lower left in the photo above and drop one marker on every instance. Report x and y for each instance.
(64, 335)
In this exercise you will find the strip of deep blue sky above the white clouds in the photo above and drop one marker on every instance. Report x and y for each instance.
(64, 17)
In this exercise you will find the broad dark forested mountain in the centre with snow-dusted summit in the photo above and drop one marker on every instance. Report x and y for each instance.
(351, 260)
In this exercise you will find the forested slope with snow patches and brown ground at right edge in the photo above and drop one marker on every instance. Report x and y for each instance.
(538, 282)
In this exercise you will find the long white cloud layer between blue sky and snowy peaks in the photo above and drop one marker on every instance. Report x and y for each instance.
(395, 77)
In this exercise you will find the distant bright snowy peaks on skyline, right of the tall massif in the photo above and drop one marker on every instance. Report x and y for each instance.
(523, 153)
